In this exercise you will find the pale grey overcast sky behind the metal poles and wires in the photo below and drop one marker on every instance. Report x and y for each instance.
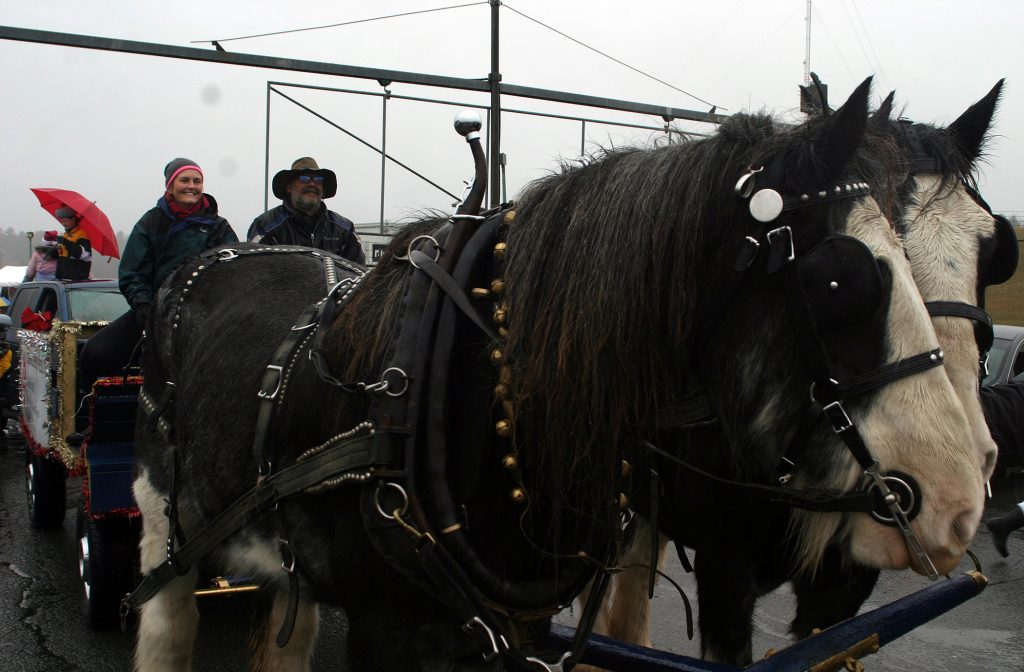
(106, 123)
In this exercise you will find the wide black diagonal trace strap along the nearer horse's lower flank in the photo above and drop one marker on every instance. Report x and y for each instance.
(345, 456)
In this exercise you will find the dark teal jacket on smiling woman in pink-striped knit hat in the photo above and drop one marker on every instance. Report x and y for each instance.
(160, 243)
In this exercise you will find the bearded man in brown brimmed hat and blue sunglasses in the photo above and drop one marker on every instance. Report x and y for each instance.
(303, 219)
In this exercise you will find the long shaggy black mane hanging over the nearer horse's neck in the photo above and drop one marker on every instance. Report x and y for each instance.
(608, 267)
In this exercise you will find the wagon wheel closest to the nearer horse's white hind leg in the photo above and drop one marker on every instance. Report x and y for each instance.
(108, 552)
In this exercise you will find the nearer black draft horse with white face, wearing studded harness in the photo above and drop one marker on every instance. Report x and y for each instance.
(612, 283)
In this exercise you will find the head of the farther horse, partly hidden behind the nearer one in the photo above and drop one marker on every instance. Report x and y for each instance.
(956, 246)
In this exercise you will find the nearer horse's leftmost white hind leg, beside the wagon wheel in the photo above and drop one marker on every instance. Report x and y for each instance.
(168, 622)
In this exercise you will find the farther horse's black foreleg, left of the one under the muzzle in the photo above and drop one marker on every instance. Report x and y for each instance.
(727, 595)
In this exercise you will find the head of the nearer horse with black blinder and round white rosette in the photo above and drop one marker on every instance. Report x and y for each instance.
(864, 323)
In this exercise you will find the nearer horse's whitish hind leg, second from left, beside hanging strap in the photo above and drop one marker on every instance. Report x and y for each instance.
(296, 655)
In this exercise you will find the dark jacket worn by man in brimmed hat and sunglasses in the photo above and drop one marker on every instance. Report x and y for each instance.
(325, 230)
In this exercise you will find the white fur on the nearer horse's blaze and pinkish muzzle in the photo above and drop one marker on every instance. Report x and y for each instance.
(917, 425)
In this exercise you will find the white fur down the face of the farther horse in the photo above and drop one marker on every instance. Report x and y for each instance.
(944, 237)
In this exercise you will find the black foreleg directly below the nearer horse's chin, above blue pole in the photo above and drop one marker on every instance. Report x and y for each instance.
(835, 594)
